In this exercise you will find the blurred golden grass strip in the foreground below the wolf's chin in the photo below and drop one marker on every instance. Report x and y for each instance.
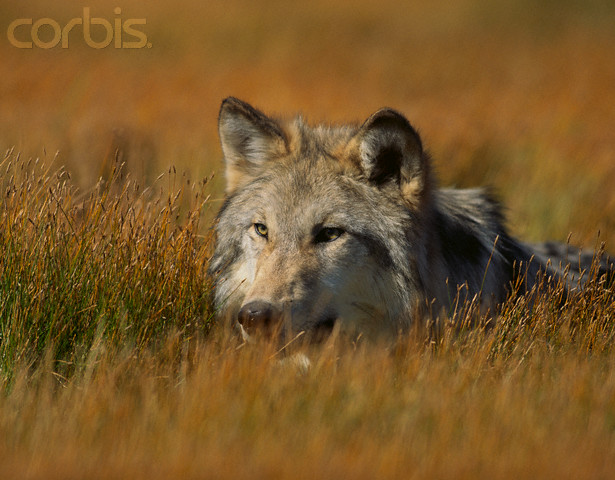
(461, 410)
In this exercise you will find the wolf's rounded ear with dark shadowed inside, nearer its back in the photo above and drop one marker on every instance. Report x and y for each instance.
(389, 151)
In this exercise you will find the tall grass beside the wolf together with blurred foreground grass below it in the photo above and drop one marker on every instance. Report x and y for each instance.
(110, 368)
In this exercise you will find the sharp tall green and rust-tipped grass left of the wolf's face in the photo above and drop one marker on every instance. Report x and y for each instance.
(115, 264)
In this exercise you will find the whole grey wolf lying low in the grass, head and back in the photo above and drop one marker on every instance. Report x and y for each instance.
(344, 227)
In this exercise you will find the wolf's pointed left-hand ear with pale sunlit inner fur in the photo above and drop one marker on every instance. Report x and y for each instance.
(249, 139)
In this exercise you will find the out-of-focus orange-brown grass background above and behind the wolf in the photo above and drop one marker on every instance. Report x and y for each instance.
(519, 94)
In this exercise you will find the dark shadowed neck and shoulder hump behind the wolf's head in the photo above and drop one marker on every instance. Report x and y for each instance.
(469, 246)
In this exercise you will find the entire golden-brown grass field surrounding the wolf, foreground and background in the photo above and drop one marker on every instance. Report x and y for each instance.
(111, 363)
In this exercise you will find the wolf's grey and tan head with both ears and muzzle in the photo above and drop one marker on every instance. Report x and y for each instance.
(317, 222)
